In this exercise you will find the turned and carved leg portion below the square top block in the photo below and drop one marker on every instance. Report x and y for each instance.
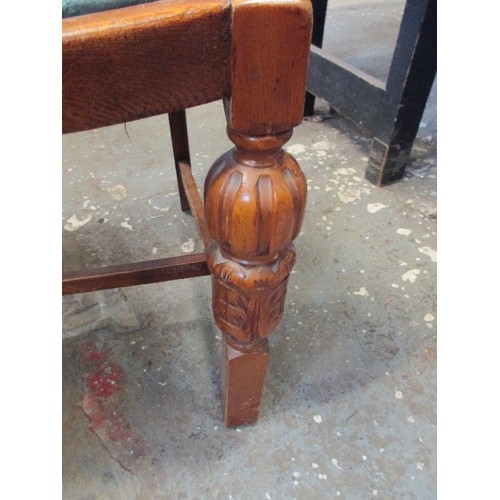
(254, 202)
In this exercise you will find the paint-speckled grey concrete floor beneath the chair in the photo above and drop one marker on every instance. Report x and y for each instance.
(349, 408)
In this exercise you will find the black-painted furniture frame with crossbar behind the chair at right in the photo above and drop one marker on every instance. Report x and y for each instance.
(390, 112)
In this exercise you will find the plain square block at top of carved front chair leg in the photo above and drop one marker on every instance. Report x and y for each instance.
(270, 52)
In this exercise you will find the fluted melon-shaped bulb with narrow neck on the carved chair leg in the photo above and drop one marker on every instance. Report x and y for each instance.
(255, 198)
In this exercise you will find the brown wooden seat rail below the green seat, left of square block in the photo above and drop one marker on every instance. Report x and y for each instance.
(140, 61)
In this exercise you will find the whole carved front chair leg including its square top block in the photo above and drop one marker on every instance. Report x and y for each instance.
(255, 194)
